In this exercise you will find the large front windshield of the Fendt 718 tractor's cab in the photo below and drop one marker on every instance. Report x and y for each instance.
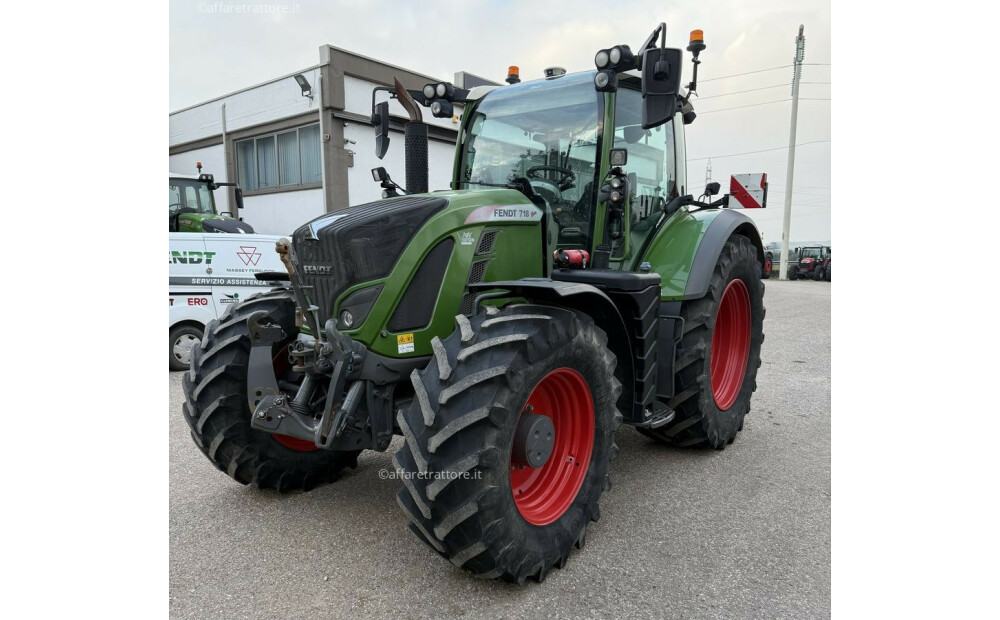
(546, 132)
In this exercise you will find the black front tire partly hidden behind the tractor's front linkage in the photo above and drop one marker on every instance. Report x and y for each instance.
(218, 412)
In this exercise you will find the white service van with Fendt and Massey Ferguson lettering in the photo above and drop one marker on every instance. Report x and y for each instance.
(208, 273)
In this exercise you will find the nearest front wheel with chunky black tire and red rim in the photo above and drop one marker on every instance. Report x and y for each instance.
(463, 418)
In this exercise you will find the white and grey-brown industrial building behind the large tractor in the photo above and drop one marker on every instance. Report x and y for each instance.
(293, 163)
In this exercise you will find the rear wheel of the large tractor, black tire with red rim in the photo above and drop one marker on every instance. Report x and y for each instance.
(711, 403)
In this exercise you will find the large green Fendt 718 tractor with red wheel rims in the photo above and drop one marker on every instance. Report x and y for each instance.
(567, 283)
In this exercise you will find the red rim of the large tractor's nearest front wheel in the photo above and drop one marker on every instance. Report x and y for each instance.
(542, 495)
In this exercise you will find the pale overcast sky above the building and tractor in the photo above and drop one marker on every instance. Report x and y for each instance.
(219, 47)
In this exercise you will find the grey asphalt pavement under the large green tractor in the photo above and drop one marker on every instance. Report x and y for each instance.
(739, 533)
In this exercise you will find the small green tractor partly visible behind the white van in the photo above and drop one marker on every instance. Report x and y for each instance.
(192, 206)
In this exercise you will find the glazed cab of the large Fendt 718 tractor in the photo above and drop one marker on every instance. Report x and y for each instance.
(554, 139)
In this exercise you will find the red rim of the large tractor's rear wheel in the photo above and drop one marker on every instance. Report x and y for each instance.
(730, 344)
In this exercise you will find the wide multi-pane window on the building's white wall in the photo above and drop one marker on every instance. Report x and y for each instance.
(283, 159)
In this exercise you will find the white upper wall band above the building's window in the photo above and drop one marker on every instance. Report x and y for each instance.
(261, 104)
